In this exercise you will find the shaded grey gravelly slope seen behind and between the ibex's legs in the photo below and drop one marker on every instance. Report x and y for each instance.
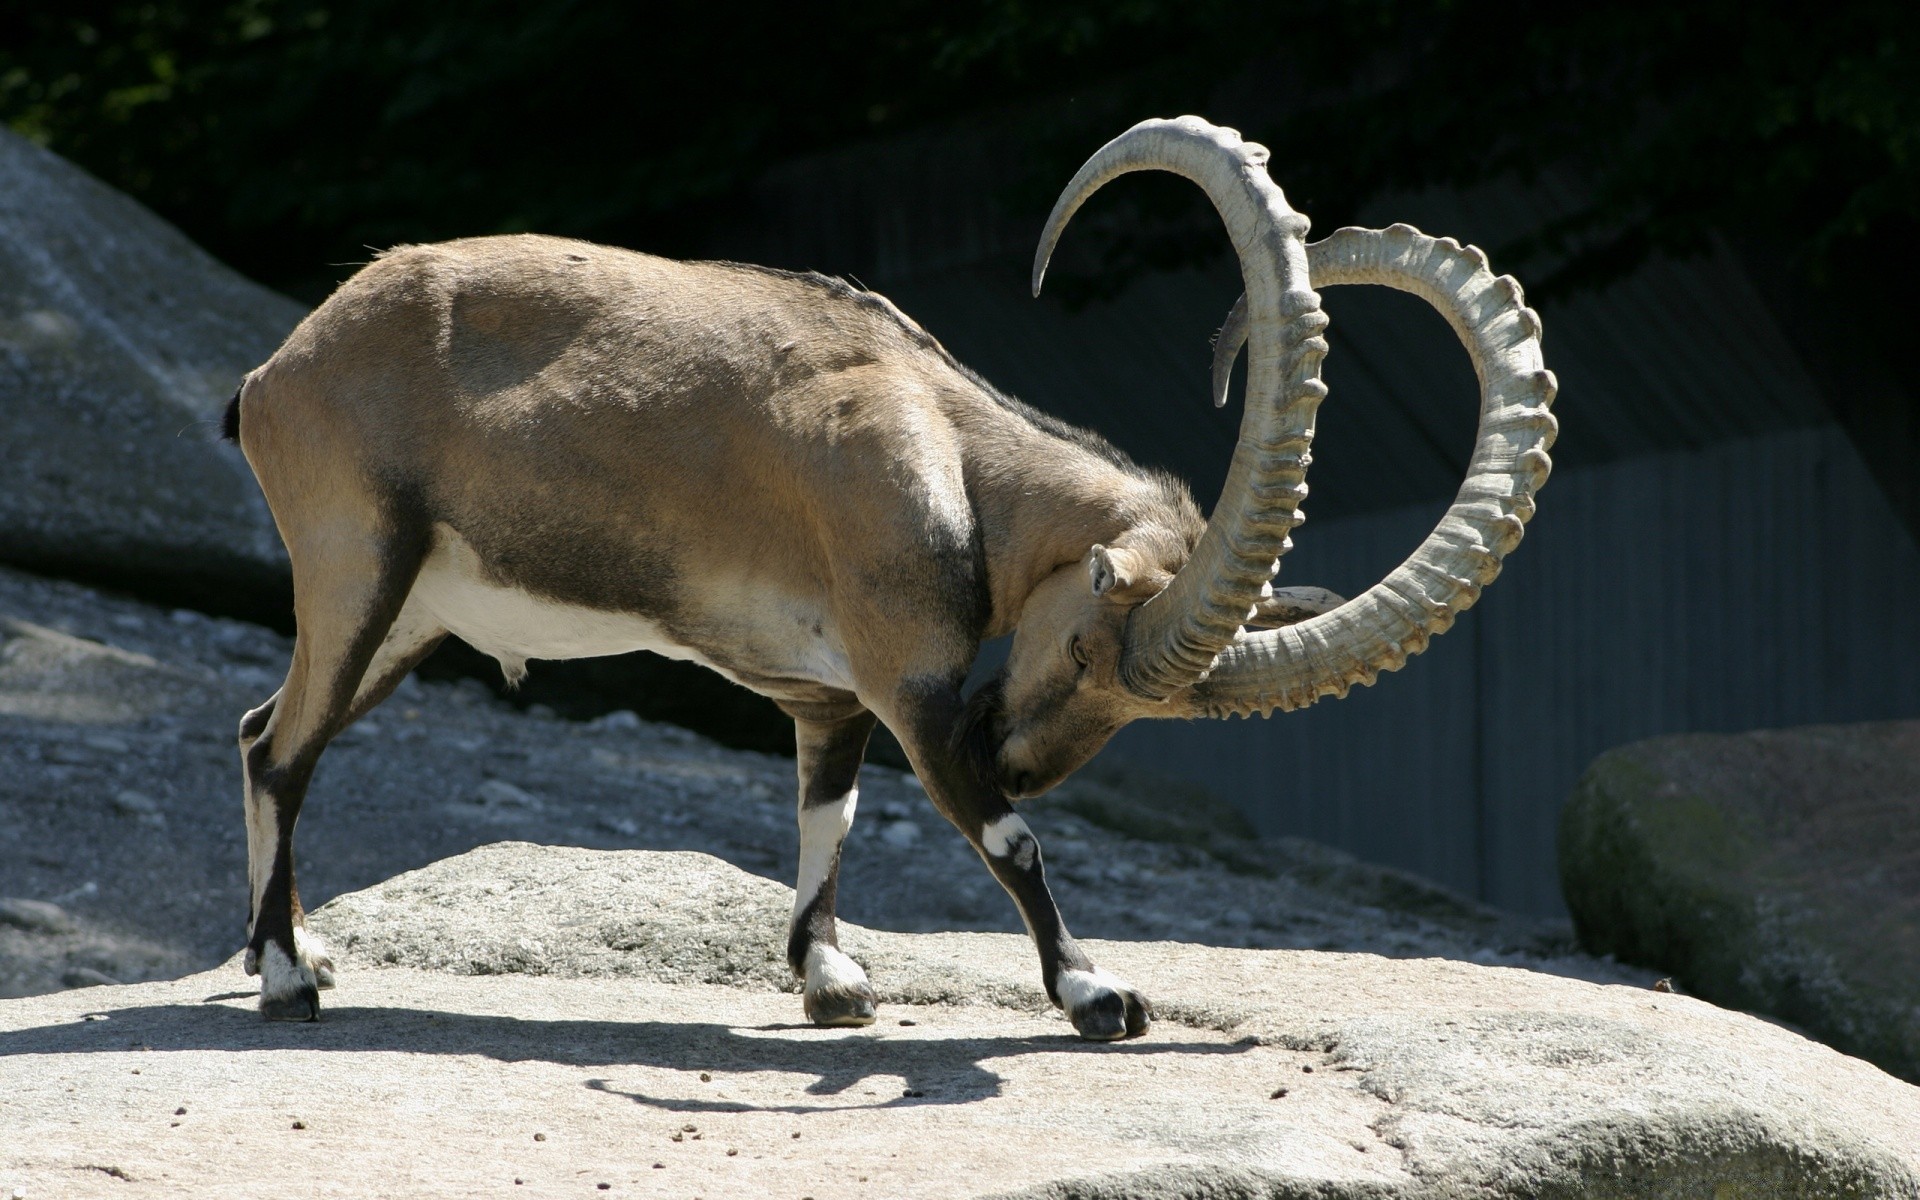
(120, 813)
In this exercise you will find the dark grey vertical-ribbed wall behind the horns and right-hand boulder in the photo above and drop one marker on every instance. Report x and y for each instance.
(1752, 585)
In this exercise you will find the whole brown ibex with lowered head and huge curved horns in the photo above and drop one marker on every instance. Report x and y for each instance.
(560, 450)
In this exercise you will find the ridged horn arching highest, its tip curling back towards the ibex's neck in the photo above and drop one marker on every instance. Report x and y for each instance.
(1174, 638)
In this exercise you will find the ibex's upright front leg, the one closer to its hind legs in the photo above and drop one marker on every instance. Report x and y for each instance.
(830, 756)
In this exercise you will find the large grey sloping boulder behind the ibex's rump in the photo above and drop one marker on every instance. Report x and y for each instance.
(120, 343)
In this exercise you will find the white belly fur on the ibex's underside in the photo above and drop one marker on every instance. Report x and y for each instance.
(514, 627)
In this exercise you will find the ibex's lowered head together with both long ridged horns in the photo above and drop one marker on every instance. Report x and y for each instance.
(1164, 625)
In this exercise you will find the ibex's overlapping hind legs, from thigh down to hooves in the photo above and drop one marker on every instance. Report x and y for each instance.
(356, 642)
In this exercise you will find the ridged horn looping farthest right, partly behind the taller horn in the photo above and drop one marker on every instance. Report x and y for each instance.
(1395, 619)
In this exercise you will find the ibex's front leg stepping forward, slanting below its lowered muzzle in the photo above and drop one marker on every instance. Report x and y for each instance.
(1101, 1007)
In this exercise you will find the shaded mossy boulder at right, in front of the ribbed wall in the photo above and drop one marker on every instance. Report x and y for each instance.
(1775, 873)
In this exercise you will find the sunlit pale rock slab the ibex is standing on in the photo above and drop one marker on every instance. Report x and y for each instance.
(479, 1042)
